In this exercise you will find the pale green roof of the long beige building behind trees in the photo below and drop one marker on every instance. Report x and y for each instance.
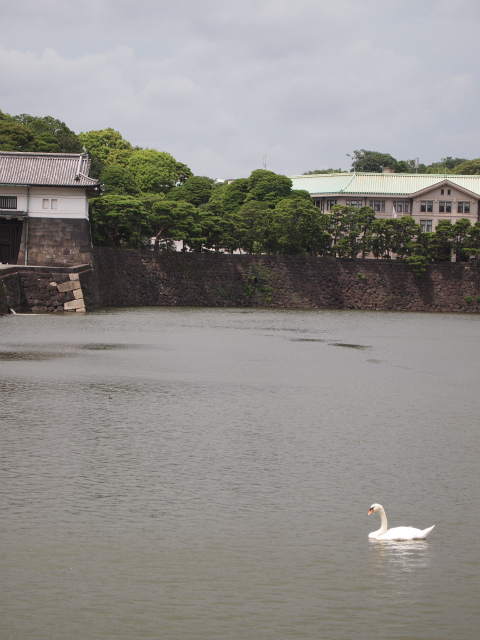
(402, 184)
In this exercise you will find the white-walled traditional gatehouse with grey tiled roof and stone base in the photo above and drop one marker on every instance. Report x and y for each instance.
(44, 208)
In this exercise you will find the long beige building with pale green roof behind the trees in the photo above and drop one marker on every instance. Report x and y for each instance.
(427, 198)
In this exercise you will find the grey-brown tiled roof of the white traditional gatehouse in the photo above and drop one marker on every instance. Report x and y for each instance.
(46, 169)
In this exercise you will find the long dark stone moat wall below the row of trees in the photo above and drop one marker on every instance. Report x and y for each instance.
(135, 278)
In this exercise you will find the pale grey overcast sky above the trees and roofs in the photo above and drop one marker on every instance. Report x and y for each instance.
(221, 83)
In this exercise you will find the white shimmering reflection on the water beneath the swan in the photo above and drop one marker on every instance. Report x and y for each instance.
(405, 555)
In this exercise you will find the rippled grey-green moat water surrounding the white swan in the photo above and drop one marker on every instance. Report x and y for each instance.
(199, 474)
